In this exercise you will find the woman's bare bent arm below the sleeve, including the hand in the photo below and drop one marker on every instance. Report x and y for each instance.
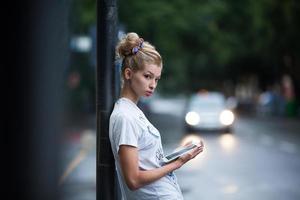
(136, 178)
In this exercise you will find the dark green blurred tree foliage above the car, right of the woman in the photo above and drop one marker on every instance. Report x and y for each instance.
(200, 40)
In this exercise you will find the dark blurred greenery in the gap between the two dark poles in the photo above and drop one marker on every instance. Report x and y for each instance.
(80, 74)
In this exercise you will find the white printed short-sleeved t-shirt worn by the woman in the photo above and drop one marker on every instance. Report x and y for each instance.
(129, 126)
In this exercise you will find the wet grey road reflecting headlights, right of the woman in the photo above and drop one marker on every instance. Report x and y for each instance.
(258, 160)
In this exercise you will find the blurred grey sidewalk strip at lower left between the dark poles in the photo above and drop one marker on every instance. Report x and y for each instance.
(78, 161)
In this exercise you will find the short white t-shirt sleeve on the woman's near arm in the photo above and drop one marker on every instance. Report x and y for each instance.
(125, 132)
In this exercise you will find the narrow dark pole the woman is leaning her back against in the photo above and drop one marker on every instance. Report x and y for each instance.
(105, 96)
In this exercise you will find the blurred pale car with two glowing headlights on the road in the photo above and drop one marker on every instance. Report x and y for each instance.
(208, 111)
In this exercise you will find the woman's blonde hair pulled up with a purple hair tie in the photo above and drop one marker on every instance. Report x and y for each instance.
(136, 52)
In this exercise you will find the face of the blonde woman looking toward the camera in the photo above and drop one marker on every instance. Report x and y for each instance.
(143, 82)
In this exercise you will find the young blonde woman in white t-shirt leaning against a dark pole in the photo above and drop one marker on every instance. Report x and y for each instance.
(136, 143)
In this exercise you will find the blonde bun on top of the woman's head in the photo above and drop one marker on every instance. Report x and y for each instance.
(127, 43)
